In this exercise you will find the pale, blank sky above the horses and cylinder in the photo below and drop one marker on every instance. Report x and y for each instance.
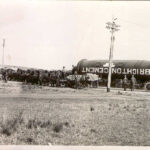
(52, 34)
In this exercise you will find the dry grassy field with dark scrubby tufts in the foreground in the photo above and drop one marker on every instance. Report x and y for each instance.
(63, 116)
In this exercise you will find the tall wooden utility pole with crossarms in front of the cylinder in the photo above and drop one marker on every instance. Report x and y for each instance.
(113, 28)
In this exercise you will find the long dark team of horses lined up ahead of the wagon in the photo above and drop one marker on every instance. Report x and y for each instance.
(41, 77)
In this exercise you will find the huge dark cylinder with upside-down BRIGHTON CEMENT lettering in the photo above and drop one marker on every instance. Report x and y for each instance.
(138, 68)
